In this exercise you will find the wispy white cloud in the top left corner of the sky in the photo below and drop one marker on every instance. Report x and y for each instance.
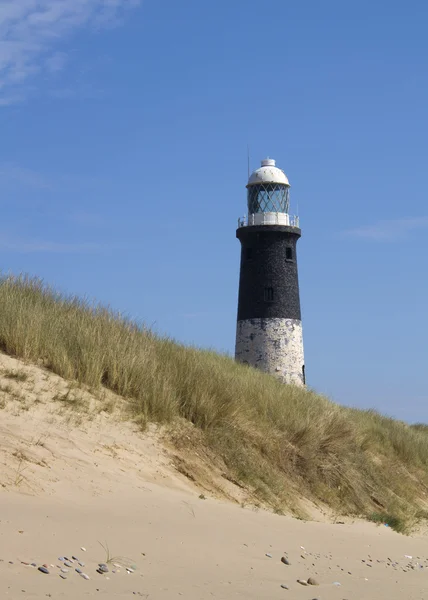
(32, 30)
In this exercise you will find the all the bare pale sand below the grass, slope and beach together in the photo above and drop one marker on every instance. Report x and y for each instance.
(72, 482)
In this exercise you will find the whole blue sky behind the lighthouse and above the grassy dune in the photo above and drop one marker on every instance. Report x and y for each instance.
(123, 162)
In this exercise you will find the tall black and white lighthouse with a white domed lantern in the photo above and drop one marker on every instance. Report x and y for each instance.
(269, 329)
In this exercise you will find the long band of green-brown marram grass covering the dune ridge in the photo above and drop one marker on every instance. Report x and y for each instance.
(283, 443)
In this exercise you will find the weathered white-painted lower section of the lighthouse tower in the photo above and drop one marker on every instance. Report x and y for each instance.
(272, 345)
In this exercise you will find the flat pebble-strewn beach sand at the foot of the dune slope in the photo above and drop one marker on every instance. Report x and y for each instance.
(178, 545)
